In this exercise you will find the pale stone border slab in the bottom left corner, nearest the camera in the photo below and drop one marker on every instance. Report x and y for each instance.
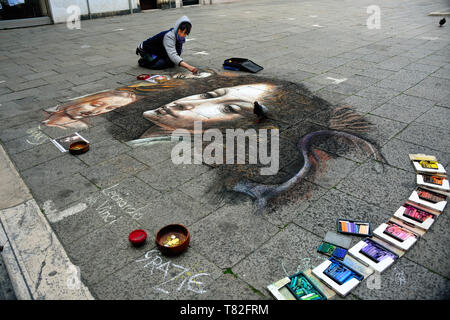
(41, 257)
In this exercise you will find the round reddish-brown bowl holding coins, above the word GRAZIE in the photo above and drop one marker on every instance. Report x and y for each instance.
(166, 239)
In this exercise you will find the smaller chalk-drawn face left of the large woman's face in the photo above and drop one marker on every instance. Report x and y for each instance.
(100, 104)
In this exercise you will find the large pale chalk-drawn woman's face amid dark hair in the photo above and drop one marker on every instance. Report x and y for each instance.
(216, 108)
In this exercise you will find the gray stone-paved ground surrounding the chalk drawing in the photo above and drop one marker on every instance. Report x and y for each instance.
(398, 77)
